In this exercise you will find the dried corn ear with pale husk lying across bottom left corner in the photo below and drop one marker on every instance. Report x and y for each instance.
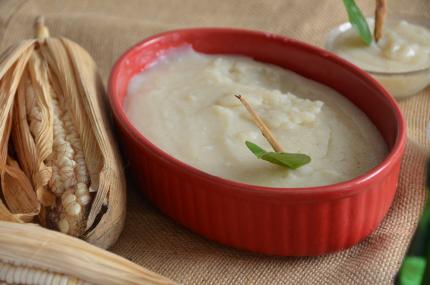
(30, 254)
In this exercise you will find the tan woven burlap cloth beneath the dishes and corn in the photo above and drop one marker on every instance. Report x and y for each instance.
(108, 28)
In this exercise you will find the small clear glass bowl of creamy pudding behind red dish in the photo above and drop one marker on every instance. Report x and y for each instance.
(400, 60)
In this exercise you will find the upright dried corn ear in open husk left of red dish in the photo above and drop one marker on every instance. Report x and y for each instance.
(58, 161)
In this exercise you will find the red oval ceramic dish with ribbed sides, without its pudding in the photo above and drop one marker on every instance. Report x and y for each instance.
(275, 221)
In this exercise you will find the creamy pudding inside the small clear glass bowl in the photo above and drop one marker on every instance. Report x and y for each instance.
(403, 47)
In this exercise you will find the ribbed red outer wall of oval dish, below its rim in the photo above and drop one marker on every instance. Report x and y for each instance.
(269, 224)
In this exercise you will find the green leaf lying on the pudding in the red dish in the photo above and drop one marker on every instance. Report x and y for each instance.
(289, 160)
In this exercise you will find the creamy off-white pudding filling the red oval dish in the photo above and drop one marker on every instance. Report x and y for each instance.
(184, 104)
